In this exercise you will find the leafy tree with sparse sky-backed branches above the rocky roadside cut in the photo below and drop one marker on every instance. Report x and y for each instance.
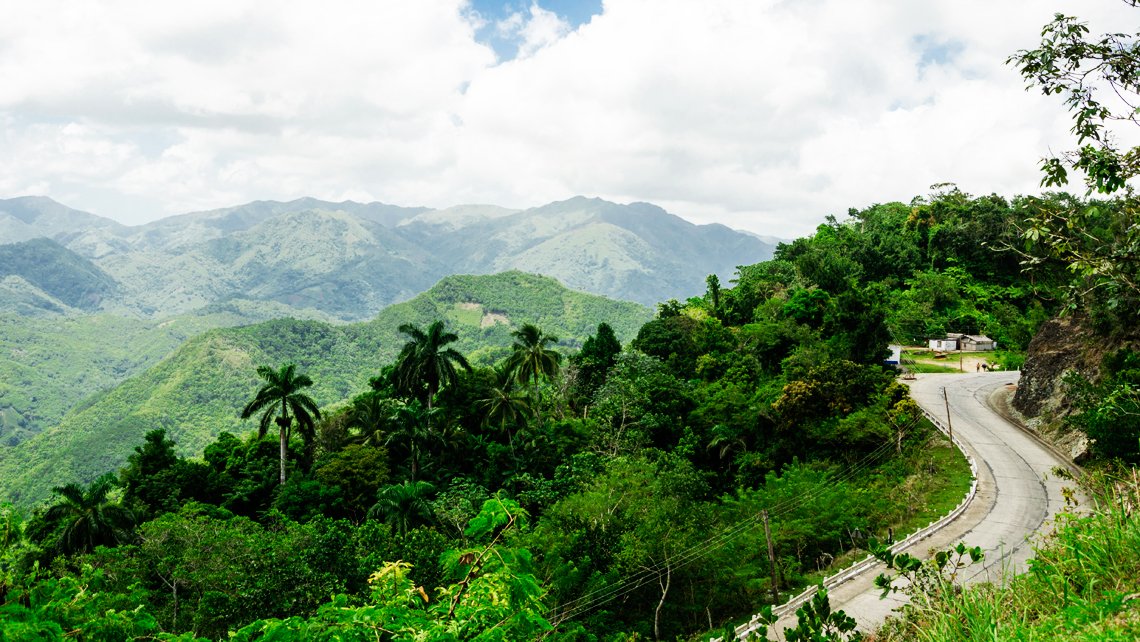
(1100, 79)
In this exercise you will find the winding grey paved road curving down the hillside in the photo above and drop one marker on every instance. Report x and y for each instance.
(1019, 493)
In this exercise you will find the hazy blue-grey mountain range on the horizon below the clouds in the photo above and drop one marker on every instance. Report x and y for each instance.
(351, 259)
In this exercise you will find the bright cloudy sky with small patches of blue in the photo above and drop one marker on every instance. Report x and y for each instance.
(764, 116)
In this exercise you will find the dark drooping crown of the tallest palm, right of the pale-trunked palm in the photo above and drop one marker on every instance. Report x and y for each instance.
(425, 365)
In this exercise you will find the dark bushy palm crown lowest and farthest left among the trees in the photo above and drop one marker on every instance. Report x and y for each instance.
(88, 518)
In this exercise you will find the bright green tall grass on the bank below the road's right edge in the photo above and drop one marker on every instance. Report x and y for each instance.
(1082, 583)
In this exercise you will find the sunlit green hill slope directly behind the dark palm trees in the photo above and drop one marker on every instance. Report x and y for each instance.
(197, 393)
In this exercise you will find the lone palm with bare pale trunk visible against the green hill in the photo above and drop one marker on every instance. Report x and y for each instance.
(283, 391)
